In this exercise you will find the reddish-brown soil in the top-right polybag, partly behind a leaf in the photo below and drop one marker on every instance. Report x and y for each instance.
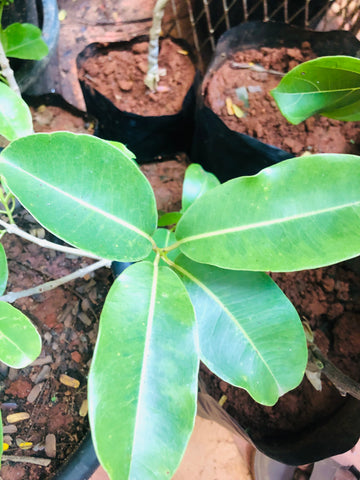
(262, 119)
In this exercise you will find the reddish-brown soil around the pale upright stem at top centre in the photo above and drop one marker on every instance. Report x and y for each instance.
(119, 76)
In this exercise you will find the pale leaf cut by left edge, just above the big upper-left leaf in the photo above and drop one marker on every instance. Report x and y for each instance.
(15, 116)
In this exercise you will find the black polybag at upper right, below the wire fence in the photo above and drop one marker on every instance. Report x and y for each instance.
(230, 154)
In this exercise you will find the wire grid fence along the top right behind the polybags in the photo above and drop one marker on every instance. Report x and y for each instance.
(201, 22)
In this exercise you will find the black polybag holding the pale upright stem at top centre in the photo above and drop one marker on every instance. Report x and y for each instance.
(149, 138)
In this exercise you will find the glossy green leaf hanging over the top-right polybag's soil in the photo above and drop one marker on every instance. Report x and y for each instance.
(329, 86)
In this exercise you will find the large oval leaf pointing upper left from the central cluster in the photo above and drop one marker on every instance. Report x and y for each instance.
(84, 191)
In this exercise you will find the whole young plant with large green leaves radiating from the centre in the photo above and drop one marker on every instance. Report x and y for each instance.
(195, 291)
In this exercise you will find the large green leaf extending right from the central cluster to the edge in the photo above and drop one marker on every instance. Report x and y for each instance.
(301, 213)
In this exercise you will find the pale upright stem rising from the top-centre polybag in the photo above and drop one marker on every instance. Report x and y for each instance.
(153, 76)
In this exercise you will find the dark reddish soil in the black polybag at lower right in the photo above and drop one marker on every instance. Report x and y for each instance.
(329, 299)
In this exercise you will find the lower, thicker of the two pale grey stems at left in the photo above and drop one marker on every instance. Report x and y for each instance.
(45, 287)
